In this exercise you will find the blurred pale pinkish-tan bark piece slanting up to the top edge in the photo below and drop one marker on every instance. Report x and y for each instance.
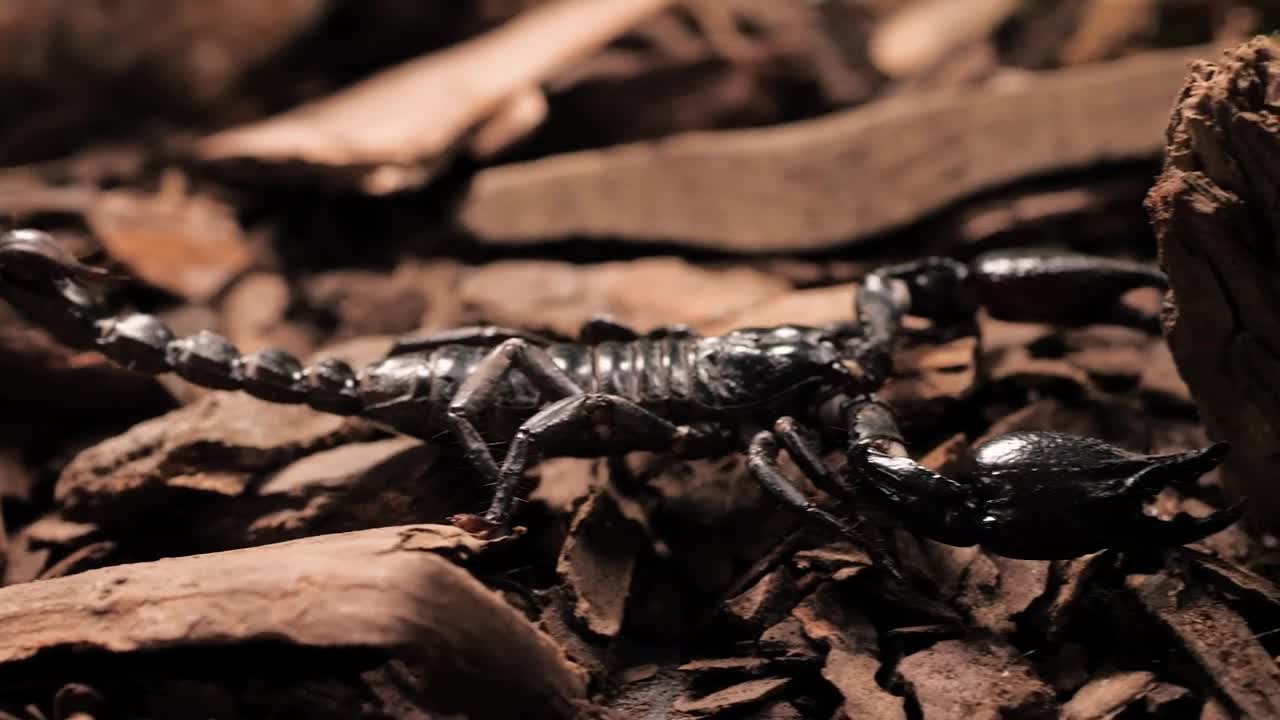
(463, 93)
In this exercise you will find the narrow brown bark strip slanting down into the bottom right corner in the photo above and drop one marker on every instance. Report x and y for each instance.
(1215, 639)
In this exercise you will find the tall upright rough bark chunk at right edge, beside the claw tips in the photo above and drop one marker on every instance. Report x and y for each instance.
(1215, 215)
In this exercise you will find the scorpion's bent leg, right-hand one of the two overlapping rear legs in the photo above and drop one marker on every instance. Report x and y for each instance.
(569, 420)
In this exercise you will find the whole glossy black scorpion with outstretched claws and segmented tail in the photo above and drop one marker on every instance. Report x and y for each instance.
(1036, 495)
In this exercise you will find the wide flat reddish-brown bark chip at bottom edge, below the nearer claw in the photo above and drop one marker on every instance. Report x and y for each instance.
(976, 678)
